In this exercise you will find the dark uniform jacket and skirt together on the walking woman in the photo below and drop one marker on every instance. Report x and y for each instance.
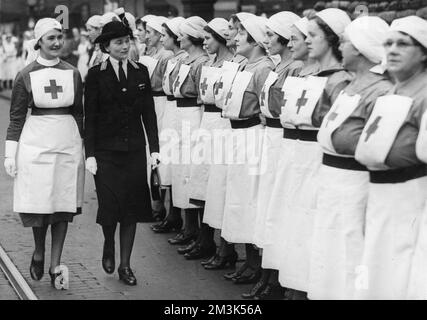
(114, 135)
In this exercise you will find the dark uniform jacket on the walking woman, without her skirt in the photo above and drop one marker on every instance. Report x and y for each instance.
(112, 117)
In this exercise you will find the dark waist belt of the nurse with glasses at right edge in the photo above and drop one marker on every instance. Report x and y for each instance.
(398, 175)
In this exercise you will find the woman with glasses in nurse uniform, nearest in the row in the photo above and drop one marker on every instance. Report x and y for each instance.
(398, 178)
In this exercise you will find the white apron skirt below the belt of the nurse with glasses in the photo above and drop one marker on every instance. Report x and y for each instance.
(393, 220)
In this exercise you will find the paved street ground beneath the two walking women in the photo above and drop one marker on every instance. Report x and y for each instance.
(161, 272)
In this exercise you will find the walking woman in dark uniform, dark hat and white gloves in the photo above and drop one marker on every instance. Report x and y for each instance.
(118, 94)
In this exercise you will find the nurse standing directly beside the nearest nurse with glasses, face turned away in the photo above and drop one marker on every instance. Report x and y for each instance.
(339, 224)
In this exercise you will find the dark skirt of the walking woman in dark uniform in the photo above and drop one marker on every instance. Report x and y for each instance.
(122, 188)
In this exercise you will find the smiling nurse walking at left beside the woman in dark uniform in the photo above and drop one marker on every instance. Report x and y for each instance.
(44, 152)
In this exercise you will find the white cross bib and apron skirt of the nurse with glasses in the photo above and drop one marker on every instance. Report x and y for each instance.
(394, 209)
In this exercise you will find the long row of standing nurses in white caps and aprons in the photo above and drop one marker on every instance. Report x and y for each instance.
(326, 114)
